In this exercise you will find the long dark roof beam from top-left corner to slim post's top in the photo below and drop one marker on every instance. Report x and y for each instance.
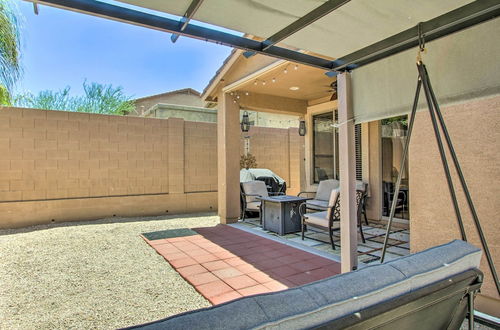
(139, 18)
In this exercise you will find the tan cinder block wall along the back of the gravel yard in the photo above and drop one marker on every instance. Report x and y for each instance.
(62, 166)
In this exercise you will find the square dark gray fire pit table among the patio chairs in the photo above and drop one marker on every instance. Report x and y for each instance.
(280, 214)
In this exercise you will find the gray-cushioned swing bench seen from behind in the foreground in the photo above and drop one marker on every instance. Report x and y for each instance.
(432, 289)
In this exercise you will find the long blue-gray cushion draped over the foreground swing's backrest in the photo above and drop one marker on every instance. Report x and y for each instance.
(330, 299)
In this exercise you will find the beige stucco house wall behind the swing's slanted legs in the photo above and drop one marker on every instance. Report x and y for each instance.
(475, 130)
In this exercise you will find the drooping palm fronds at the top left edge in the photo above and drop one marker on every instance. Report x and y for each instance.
(10, 68)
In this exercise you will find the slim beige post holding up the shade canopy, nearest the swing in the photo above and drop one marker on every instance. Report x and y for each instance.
(347, 165)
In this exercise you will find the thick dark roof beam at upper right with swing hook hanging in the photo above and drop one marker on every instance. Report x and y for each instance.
(461, 18)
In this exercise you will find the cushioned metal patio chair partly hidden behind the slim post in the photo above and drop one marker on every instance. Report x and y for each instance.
(325, 219)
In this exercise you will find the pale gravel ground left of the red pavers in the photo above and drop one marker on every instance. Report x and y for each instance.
(91, 275)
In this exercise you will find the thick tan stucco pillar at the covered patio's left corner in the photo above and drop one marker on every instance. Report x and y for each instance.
(228, 156)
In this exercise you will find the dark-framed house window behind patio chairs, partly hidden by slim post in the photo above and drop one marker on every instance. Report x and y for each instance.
(326, 148)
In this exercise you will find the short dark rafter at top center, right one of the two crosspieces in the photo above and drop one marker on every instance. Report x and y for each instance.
(304, 21)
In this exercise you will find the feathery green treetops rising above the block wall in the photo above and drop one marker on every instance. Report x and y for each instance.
(97, 98)
